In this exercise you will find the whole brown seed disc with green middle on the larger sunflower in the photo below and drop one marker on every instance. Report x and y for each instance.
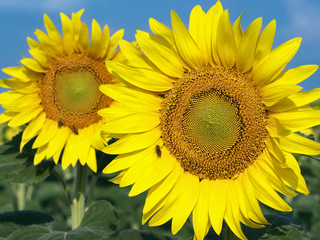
(214, 122)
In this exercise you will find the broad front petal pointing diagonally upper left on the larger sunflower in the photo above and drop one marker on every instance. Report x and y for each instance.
(163, 57)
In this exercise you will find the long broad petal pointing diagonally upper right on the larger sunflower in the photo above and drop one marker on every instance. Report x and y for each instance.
(269, 67)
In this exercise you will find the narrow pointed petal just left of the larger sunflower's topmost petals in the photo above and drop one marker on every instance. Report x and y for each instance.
(185, 44)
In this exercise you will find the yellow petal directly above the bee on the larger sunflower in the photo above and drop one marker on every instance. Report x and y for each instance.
(134, 142)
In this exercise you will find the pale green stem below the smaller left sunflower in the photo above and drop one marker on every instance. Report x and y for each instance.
(77, 207)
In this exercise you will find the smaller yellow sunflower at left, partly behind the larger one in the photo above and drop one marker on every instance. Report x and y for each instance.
(57, 91)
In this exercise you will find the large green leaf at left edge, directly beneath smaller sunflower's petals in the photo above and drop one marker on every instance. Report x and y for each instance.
(18, 167)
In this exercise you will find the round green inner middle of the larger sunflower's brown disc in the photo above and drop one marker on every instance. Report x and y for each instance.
(212, 121)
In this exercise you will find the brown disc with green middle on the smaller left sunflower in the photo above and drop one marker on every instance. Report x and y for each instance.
(70, 91)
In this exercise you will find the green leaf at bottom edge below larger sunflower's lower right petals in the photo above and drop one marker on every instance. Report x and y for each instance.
(287, 232)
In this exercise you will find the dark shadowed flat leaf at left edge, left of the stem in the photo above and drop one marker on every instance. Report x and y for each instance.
(26, 217)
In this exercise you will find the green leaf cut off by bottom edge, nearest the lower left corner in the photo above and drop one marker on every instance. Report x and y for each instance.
(29, 233)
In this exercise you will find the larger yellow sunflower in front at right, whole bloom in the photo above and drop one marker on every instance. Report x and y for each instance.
(207, 122)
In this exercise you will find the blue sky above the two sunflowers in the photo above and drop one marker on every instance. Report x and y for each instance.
(20, 18)
